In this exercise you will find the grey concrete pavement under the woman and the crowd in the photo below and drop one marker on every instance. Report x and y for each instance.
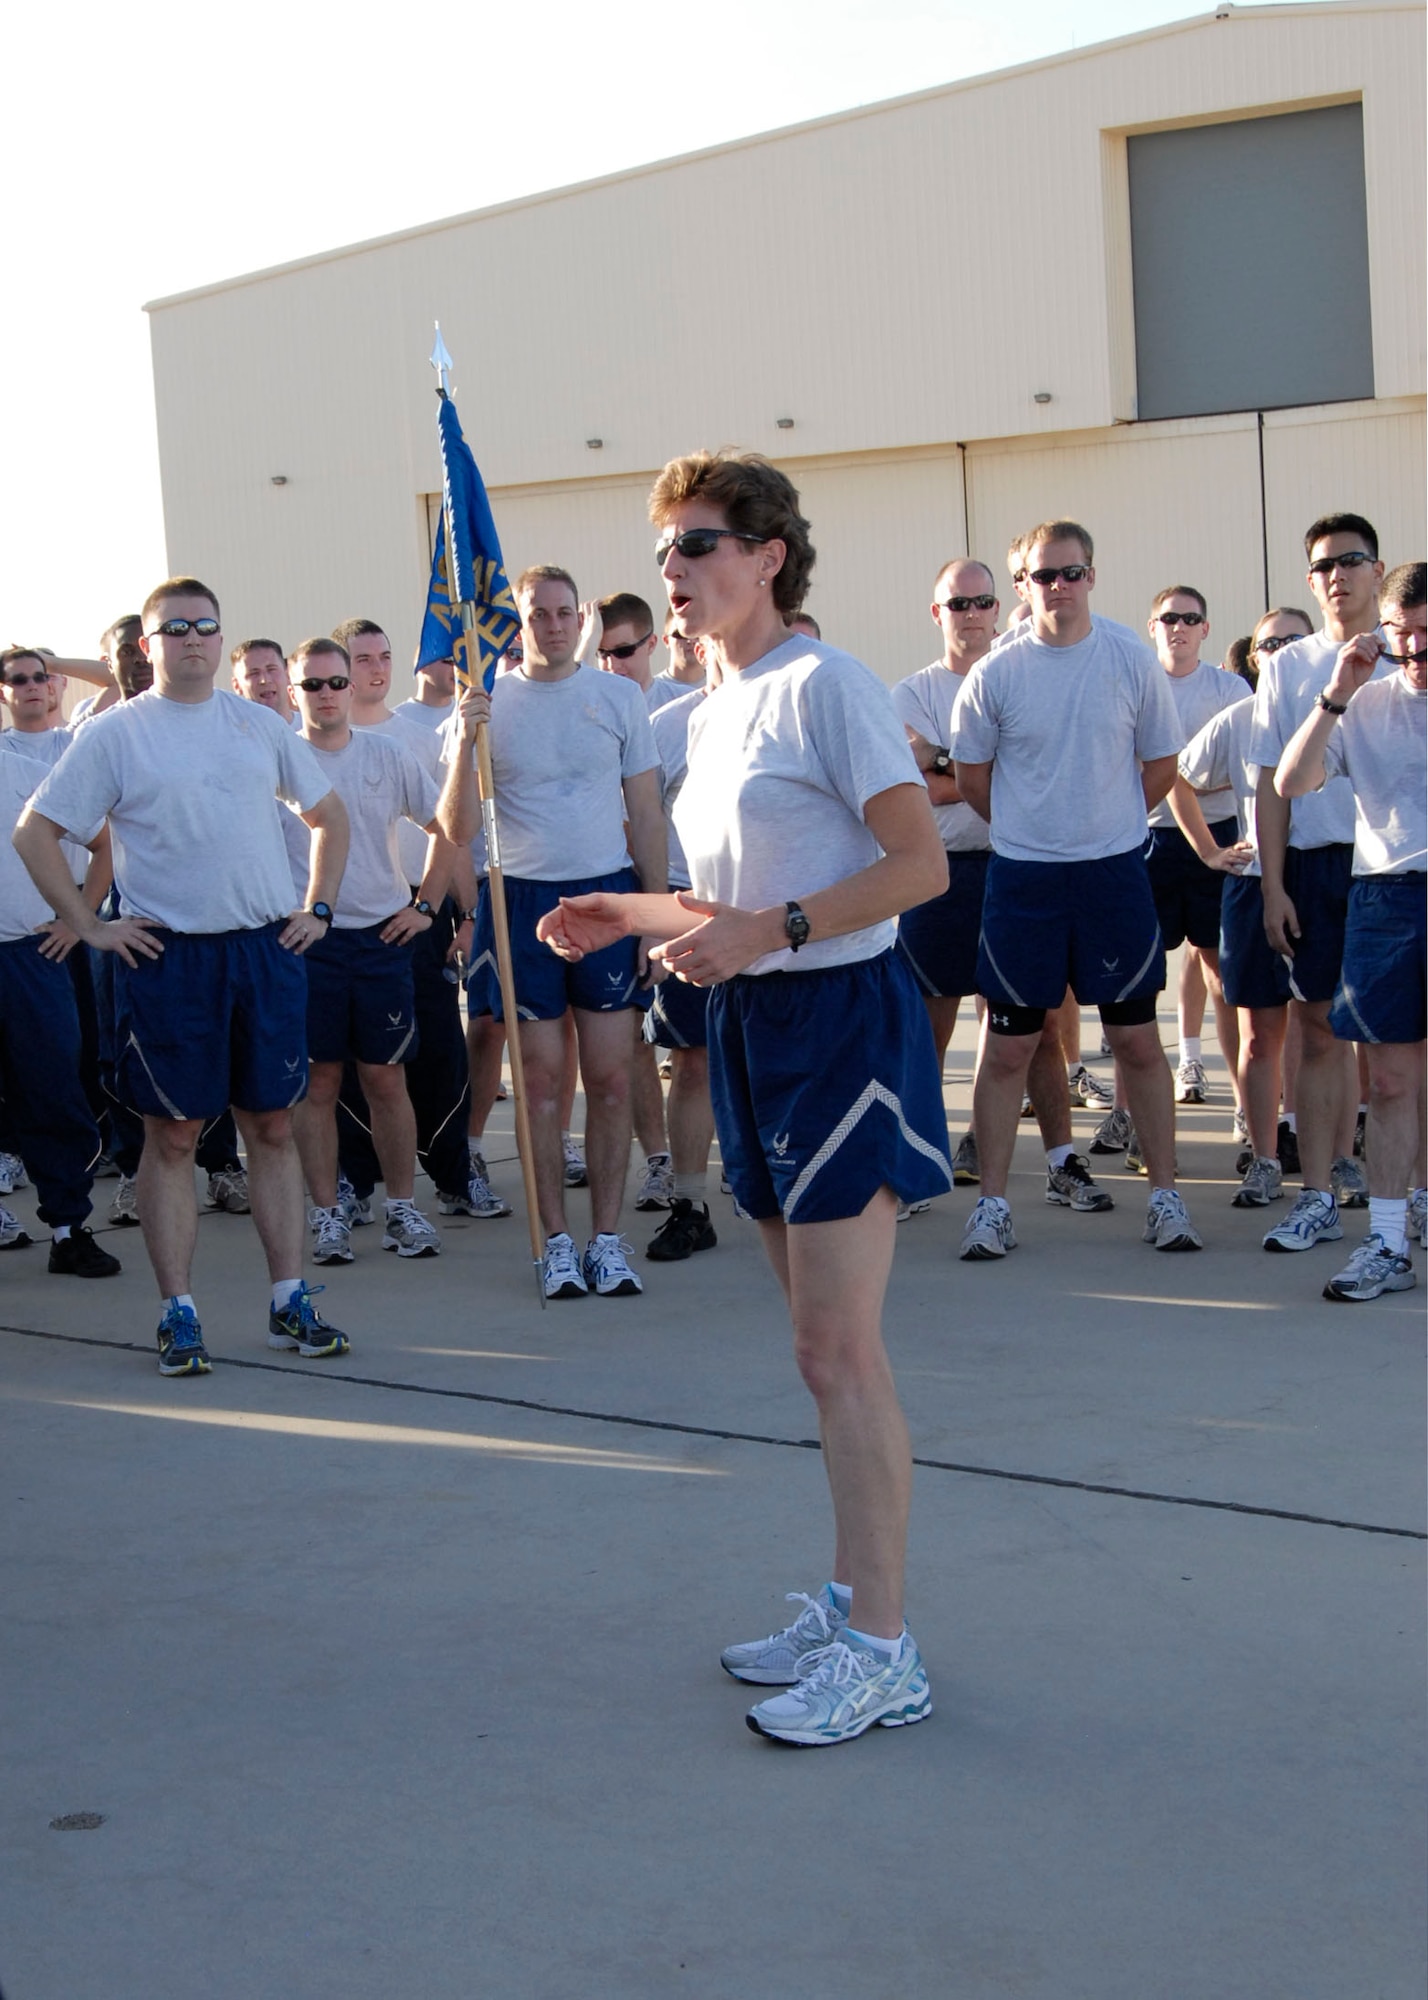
(389, 1679)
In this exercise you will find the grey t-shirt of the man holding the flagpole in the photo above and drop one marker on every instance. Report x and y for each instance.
(561, 751)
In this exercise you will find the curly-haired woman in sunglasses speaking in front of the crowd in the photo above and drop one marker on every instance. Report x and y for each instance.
(807, 833)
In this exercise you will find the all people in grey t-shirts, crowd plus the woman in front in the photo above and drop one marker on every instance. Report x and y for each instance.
(237, 927)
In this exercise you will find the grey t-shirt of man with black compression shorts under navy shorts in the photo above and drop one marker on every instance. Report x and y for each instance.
(1067, 731)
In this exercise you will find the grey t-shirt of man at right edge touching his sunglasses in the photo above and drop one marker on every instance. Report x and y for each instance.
(1383, 749)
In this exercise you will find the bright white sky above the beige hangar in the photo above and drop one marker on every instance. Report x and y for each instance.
(161, 147)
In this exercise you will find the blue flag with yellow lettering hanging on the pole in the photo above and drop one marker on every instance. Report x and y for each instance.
(479, 571)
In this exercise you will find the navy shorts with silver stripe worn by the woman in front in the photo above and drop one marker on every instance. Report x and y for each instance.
(827, 1089)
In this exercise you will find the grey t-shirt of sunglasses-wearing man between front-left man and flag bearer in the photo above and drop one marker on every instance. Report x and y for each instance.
(381, 785)
